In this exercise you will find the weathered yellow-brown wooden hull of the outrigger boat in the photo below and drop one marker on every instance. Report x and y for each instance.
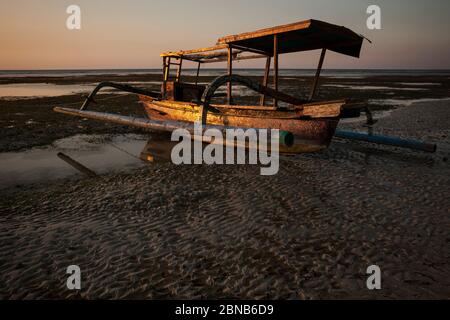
(310, 135)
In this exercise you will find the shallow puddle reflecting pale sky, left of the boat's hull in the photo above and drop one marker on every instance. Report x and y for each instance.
(99, 153)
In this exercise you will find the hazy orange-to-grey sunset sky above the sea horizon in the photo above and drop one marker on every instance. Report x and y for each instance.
(132, 33)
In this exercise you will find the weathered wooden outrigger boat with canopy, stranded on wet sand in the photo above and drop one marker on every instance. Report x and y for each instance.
(306, 125)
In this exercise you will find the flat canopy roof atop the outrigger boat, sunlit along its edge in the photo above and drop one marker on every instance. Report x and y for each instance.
(295, 37)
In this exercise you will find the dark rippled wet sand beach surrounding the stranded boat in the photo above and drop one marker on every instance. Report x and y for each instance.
(185, 232)
